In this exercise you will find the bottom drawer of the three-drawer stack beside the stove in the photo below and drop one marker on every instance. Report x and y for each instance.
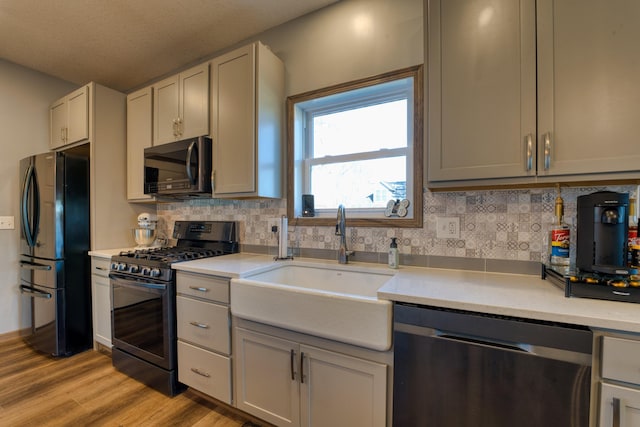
(206, 372)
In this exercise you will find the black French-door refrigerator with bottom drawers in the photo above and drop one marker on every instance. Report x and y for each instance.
(55, 275)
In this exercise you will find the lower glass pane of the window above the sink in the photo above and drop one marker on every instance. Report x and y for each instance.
(361, 184)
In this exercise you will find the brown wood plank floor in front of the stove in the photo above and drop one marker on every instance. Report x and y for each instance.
(85, 390)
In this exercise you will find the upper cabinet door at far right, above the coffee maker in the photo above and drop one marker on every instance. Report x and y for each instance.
(589, 86)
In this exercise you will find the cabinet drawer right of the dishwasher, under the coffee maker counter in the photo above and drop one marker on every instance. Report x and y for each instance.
(621, 359)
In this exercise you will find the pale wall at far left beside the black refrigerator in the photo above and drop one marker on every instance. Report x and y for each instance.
(25, 96)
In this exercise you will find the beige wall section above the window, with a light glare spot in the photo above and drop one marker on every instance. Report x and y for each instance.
(346, 41)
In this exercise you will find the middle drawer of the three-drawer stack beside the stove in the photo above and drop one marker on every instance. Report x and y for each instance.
(204, 323)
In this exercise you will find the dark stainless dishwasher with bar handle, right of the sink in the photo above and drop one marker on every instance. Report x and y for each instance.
(458, 368)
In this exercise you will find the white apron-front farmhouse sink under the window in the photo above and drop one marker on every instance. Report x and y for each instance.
(335, 303)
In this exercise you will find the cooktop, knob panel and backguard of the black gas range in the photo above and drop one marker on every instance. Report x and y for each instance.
(196, 239)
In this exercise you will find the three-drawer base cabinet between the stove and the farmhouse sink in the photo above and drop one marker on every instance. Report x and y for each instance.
(204, 336)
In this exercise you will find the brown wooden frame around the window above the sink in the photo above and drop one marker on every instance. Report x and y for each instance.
(353, 218)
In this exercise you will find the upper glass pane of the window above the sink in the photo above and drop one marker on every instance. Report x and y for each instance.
(370, 128)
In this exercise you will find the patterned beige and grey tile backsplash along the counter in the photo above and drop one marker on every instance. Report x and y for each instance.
(509, 224)
